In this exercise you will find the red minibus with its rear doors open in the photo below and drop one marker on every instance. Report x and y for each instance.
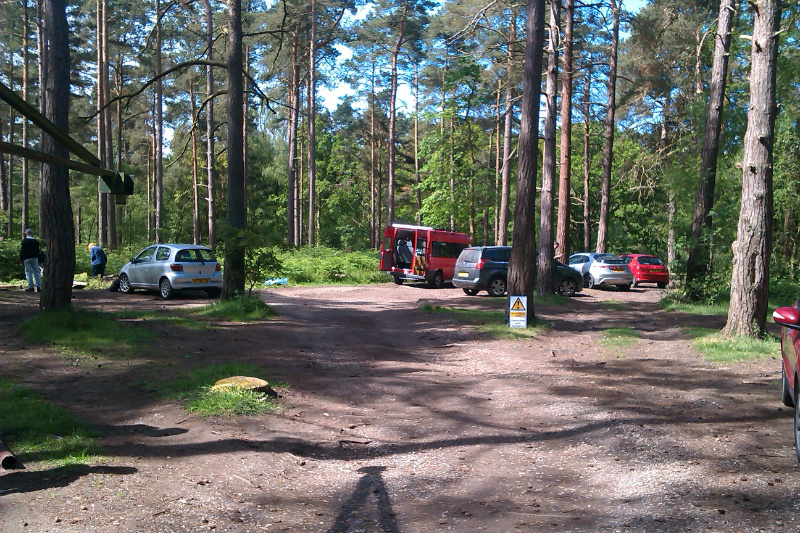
(420, 253)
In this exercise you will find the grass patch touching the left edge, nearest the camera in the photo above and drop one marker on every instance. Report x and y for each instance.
(37, 430)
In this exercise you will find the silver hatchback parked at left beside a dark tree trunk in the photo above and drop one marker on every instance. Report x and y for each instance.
(172, 267)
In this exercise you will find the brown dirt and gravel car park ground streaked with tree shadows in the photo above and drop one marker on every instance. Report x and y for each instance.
(399, 420)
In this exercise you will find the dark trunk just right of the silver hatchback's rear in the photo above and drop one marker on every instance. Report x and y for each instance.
(234, 277)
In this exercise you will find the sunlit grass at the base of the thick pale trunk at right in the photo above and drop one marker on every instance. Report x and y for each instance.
(716, 348)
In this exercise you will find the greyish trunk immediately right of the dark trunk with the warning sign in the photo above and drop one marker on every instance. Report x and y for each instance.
(544, 280)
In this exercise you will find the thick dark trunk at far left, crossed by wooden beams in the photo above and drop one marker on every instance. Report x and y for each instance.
(56, 205)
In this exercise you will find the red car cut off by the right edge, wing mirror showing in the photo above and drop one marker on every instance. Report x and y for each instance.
(789, 318)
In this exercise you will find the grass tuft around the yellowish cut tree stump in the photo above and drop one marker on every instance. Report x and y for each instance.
(195, 388)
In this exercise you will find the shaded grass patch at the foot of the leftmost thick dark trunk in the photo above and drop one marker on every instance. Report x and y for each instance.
(81, 333)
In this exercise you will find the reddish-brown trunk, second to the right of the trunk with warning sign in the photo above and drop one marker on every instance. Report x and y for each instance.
(565, 165)
